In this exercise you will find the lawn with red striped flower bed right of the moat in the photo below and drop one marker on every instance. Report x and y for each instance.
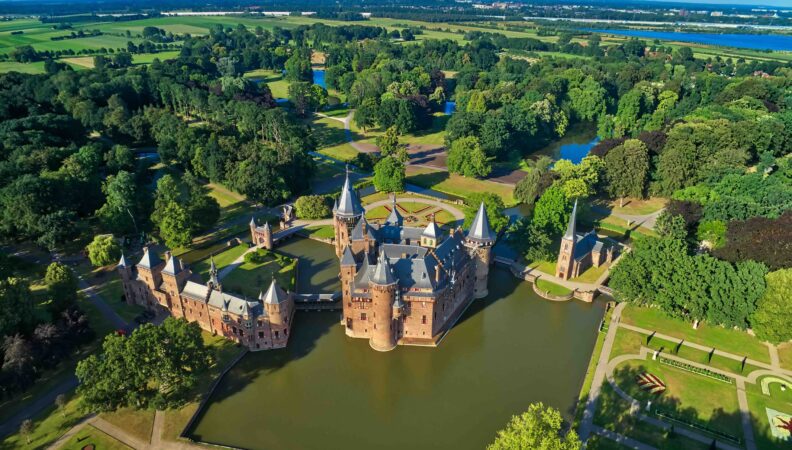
(695, 398)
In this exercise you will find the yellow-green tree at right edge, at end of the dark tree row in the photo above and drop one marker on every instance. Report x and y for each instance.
(772, 320)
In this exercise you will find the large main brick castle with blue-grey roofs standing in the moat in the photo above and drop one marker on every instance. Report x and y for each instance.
(403, 285)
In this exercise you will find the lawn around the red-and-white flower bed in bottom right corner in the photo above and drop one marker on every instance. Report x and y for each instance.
(757, 404)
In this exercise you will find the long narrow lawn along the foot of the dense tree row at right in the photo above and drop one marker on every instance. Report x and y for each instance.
(728, 340)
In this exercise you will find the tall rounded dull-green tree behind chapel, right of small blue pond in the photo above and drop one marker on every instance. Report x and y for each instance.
(627, 170)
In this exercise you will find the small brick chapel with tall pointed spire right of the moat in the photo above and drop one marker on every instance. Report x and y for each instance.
(579, 252)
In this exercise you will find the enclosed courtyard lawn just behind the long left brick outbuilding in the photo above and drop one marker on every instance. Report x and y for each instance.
(251, 279)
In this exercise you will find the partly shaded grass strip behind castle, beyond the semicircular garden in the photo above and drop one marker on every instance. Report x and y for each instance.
(456, 184)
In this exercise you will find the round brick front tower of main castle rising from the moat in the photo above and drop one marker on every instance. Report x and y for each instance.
(383, 296)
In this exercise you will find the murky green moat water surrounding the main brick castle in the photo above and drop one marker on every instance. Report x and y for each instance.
(327, 391)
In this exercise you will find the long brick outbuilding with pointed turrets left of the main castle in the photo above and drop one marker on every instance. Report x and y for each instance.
(257, 324)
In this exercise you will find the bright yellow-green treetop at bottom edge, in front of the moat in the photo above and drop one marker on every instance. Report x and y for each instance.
(538, 428)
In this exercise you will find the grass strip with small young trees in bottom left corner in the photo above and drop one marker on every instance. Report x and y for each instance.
(47, 427)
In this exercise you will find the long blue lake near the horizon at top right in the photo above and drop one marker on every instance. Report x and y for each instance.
(752, 41)
